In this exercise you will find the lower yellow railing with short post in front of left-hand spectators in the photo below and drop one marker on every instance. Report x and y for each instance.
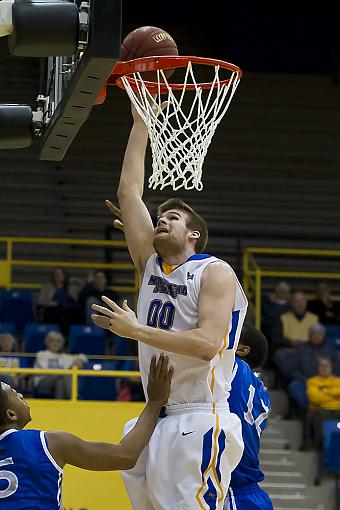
(73, 372)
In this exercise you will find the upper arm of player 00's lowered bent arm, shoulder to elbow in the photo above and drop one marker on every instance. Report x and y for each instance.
(215, 304)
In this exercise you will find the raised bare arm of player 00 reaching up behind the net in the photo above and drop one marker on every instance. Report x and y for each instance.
(135, 215)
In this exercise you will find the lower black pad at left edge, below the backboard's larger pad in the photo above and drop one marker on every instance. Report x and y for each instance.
(16, 126)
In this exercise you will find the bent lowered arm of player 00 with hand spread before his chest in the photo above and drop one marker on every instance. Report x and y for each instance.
(215, 306)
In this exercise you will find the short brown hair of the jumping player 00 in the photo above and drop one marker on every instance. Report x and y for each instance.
(194, 222)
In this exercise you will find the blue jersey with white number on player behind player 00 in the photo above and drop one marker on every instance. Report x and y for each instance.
(250, 400)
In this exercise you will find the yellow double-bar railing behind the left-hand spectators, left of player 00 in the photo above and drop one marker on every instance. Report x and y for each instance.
(8, 262)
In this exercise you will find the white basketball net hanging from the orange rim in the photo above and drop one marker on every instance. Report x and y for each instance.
(180, 137)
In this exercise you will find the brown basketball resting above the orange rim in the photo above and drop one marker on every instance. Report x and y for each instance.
(148, 42)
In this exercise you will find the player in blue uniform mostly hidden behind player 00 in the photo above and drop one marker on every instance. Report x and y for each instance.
(250, 400)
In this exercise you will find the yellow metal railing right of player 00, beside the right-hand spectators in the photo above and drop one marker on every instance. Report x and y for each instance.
(253, 273)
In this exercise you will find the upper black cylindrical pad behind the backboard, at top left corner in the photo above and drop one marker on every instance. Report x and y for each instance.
(42, 29)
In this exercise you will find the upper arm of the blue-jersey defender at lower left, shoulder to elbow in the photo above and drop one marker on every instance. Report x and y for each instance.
(66, 448)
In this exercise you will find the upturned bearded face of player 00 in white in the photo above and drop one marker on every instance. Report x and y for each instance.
(171, 232)
